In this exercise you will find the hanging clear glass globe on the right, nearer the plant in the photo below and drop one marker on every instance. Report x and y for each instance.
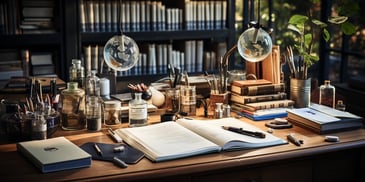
(254, 44)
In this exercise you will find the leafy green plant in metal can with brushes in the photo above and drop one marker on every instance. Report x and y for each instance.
(308, 29)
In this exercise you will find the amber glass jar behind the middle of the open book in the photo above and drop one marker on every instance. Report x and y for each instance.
(188, 100)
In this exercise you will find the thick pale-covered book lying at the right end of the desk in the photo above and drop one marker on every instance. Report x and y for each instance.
(322, 119)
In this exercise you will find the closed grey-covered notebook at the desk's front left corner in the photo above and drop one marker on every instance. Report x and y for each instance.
(54, 154)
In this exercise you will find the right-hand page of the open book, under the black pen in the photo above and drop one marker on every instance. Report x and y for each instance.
(213, 131)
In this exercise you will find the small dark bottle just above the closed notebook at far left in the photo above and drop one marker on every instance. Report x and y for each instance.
(39, 127)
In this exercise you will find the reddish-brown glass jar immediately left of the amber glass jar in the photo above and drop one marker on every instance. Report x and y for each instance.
(172, 101)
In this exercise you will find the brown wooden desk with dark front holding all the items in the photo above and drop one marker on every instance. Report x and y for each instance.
(315, 160)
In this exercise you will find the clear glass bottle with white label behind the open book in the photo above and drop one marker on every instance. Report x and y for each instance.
(137, 111)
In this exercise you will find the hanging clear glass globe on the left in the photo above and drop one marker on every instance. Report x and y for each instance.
(121, 53)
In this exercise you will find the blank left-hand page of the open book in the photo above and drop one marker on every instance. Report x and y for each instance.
(165, 141)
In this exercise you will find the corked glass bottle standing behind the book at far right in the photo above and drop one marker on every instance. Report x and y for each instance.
(327, 94)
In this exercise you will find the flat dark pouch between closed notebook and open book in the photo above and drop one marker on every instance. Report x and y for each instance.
(129, 155)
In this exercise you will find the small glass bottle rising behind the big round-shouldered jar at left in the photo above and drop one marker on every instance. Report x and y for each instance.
(77, 73)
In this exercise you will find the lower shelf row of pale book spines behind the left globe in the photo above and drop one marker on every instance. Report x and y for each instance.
(155, 58)
